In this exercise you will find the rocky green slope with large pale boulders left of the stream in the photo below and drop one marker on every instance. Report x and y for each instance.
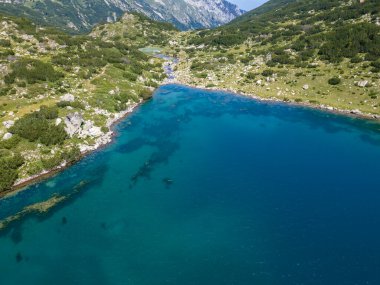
(59, 94)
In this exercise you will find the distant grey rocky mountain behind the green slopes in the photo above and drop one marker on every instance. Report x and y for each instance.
(82, 15)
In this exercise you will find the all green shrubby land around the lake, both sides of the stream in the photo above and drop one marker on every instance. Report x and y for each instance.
(60, 94)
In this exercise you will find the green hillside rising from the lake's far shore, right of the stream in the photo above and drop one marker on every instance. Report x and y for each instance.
(319, 52)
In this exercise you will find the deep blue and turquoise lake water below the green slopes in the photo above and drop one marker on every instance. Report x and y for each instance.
(208, 188)
